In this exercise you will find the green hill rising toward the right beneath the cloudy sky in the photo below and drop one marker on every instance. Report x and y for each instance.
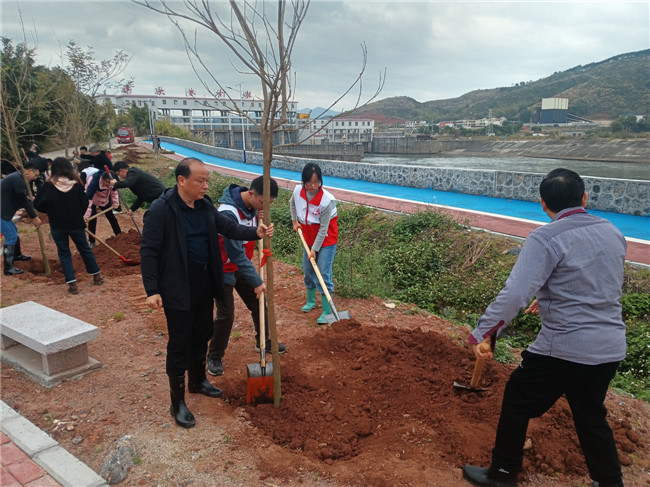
(603, 90)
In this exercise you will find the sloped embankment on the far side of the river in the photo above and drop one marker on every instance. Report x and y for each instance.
(634, 150)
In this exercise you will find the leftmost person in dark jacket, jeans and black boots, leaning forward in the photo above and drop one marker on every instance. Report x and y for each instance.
(14, 197)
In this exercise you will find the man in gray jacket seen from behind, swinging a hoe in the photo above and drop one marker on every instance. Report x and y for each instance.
(574, 268)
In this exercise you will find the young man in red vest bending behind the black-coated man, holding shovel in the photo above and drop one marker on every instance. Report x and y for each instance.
(242, 205)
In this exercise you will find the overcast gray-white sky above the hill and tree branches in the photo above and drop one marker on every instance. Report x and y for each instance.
(430, 50)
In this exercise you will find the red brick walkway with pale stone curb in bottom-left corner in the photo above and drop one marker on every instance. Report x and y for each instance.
(32, 458)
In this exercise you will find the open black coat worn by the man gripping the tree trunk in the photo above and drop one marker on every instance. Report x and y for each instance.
(164, 250)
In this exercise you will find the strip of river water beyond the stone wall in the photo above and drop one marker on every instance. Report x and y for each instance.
(617, 170)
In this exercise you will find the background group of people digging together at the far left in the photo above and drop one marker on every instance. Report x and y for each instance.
(72, 194)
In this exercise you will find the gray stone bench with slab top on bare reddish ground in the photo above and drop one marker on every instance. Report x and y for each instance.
(47, 345)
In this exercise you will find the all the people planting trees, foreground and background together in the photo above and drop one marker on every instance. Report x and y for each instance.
(195, 254)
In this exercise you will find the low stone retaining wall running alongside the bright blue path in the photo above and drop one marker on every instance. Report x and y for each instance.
(625, 196)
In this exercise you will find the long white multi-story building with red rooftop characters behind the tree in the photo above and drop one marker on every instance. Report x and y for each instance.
(213, 118)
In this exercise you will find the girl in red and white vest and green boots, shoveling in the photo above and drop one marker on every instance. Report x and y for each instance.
(313, 209)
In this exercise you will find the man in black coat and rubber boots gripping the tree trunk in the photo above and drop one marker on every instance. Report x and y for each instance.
(182, 272)
